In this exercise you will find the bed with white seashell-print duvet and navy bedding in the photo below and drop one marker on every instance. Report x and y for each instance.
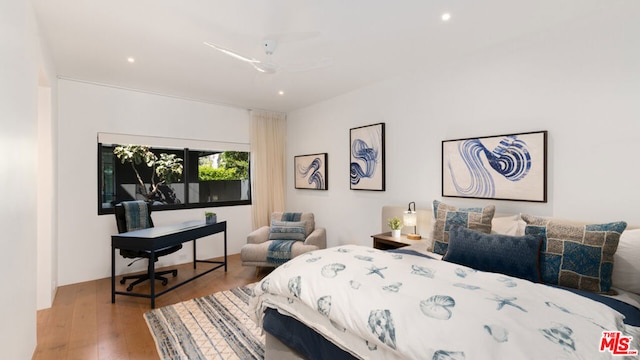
(358, 302)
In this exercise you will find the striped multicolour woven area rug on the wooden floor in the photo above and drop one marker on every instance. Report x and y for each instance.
(216, 326)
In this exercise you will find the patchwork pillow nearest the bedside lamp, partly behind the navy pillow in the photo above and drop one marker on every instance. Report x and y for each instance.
(446, 216)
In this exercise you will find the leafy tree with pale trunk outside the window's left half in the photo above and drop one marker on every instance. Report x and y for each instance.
(164, 170)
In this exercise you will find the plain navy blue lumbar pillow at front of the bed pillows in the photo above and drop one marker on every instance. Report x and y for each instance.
(517, 256)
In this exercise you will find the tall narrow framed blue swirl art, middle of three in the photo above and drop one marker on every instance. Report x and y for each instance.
(367, 157)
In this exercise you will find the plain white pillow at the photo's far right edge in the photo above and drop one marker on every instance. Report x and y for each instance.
(626, 260)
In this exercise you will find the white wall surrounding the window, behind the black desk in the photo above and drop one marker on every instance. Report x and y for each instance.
(86, 109)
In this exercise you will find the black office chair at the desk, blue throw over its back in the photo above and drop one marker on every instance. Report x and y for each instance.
(138, 214)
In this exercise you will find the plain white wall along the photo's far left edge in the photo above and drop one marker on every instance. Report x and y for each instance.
(20, 58)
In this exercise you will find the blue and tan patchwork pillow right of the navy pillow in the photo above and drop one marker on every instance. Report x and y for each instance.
(576, 255)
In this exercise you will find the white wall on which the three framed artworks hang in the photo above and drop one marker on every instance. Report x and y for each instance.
(579, 81)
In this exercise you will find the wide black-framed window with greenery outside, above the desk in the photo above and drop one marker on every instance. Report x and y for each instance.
(172, 178)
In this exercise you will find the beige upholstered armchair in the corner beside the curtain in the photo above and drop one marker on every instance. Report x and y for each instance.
(259, 246)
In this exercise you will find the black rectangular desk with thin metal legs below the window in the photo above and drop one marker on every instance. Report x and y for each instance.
(156, 238)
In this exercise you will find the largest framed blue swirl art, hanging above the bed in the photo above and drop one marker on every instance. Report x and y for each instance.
(504, 167)
